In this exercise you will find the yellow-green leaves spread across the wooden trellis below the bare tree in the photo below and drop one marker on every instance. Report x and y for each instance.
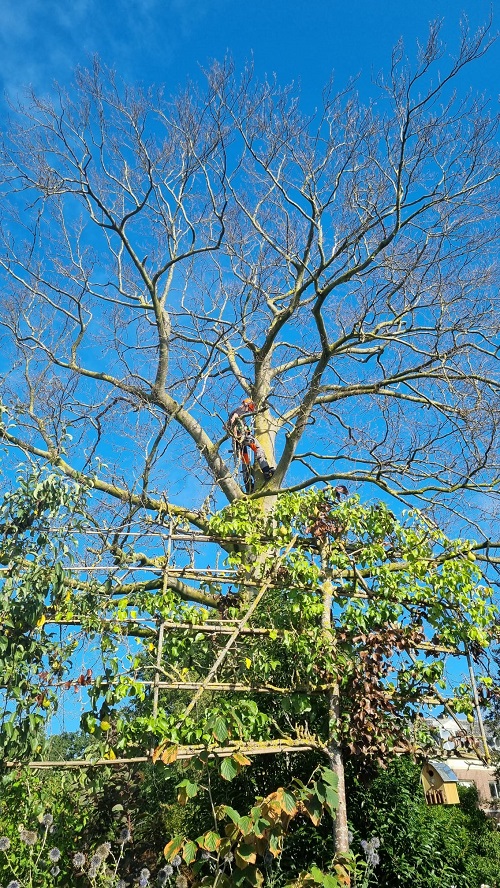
(389, 582)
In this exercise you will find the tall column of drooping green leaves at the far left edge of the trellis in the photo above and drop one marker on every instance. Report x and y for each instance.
(33, 584)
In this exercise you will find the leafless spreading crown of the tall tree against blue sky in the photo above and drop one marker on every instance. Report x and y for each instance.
(165, 257)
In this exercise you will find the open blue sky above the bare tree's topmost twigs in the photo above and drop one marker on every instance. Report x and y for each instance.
(164, 41)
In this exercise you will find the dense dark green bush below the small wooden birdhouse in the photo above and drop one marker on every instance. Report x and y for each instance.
(432, 847)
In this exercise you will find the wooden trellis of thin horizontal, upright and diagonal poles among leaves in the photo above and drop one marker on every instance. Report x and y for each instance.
(233, 629)
